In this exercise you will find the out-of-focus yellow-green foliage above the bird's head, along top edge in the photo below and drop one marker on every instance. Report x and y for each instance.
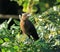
(36, 6)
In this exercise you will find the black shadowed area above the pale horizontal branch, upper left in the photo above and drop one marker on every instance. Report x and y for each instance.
(8, 7)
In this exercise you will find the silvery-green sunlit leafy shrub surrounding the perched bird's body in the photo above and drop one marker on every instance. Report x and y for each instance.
(48, 28)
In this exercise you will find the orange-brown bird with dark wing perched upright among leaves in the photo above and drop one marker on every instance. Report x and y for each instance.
(27, 27)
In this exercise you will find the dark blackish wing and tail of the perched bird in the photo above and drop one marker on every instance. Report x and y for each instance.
(30, 30)
